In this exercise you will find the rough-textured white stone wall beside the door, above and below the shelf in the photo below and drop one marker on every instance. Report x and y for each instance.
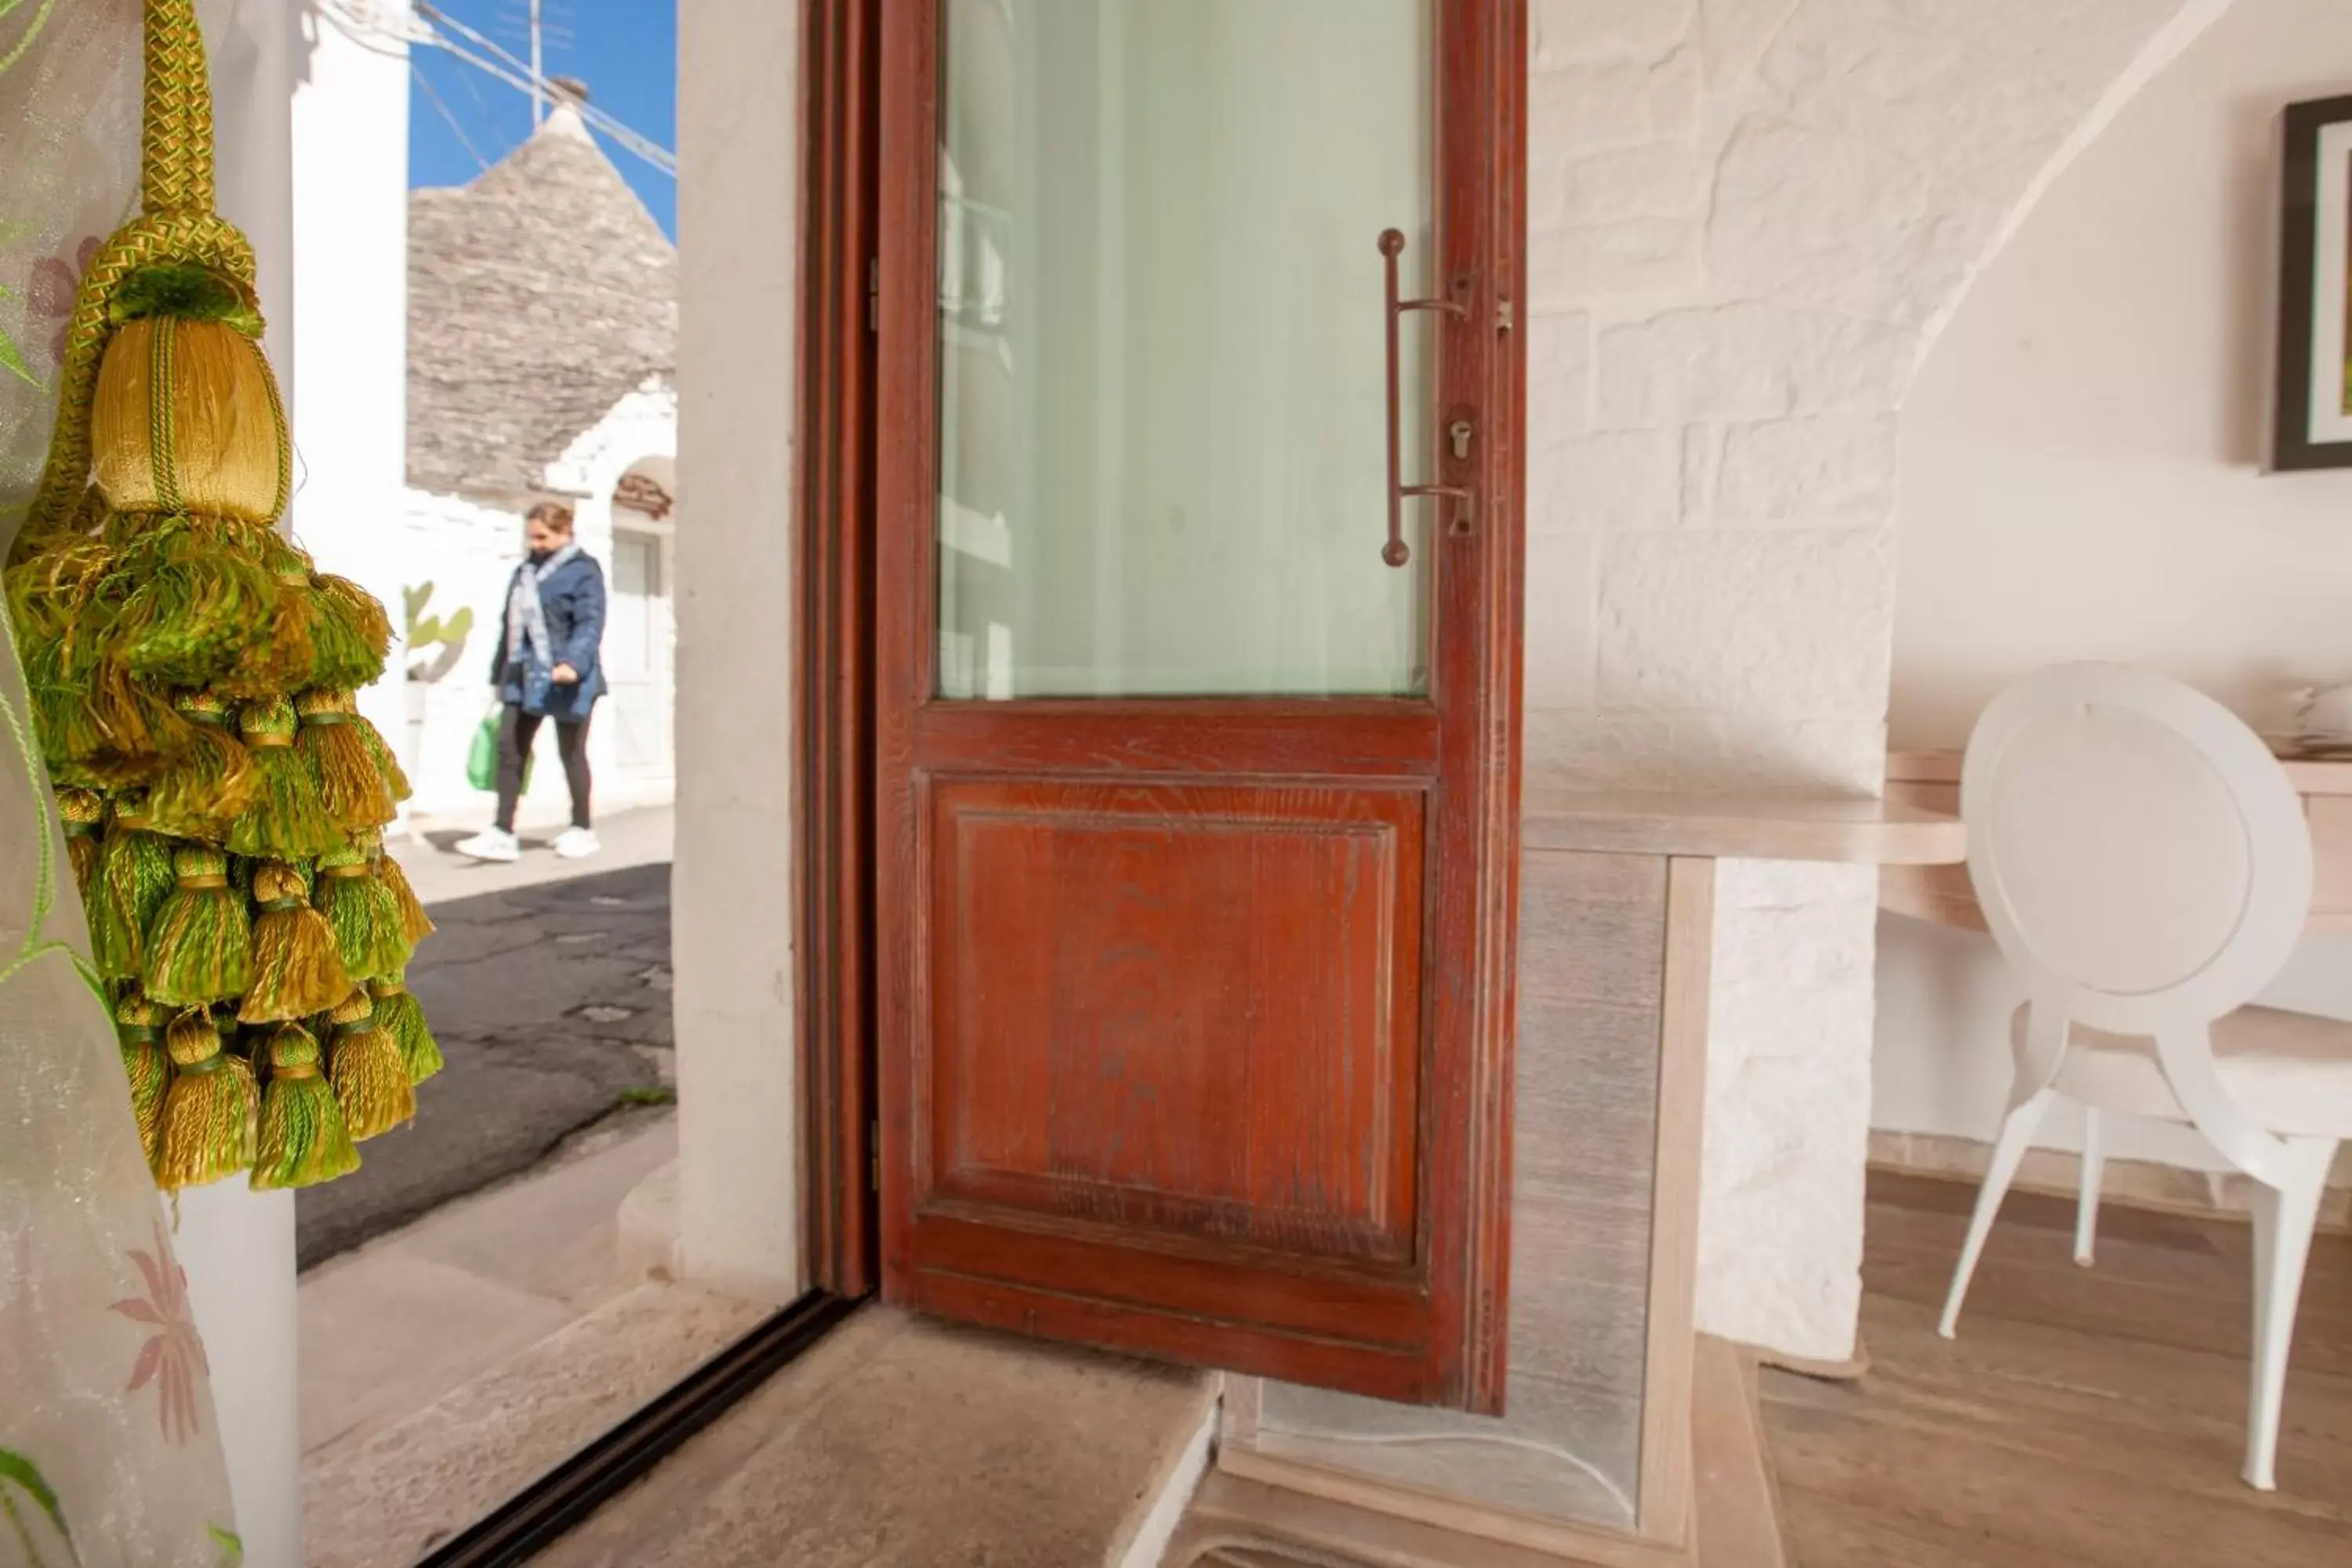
(1749, 222)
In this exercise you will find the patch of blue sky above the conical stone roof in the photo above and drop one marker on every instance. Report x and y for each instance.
(627, 51)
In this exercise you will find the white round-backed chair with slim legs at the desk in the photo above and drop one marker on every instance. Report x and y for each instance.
(2146, 869)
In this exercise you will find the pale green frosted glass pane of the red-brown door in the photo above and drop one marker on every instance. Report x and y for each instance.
(1161, 347)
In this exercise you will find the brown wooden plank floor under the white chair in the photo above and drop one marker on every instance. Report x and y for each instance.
(2085, 1419)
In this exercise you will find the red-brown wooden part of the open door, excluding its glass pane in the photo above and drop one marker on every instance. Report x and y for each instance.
(1194, 1017)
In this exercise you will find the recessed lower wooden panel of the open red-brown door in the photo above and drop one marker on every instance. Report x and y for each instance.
(1182, 1010)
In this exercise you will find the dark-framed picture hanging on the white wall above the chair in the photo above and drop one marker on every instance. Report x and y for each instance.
(2316, 290)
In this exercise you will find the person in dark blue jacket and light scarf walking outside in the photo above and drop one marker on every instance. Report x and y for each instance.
(547, 669)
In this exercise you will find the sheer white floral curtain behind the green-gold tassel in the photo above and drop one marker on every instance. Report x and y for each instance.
(109, 1454)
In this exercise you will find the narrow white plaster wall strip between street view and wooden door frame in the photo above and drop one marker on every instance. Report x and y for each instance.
(733, 876)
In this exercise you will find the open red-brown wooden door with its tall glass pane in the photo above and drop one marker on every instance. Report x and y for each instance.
(1198, 641)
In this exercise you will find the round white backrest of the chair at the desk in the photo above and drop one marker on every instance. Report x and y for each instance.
(2137, 850)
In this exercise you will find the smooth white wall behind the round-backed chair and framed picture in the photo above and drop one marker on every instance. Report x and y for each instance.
(2083, 481)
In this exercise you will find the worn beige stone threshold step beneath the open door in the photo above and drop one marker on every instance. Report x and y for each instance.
(921, 1445)
